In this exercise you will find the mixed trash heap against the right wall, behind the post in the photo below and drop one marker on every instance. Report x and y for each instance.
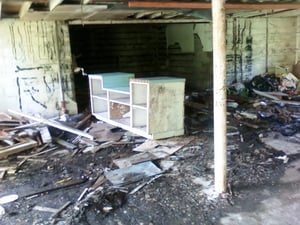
(273, 99)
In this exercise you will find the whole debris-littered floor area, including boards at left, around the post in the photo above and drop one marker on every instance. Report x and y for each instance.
(94, 170)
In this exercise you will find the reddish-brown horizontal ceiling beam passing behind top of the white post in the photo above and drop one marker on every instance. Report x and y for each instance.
(207, 5)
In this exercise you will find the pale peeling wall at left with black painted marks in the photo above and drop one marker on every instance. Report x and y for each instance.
(36, 67)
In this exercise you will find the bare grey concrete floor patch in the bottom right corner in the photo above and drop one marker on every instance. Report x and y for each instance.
(279, 204)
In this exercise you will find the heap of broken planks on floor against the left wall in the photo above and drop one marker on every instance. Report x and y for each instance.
(20, 132)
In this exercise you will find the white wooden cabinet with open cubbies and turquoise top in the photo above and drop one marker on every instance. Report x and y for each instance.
(152, 107)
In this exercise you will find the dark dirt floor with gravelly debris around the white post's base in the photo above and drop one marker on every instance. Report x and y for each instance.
(181, 195)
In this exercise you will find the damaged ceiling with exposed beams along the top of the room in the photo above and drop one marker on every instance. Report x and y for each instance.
(140, 11)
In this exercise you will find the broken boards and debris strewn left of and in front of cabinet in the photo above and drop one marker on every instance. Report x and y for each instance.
(36, 146)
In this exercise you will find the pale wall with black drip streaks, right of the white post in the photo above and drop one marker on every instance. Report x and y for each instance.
(258, 46)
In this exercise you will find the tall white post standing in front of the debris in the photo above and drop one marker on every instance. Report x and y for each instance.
(219, 86)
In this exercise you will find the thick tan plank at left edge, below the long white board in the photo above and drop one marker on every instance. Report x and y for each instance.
(23, 146)
